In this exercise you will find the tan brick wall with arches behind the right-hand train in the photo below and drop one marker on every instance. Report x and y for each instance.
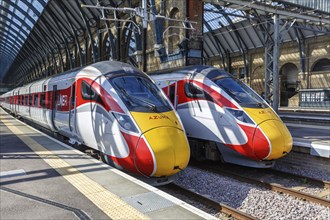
(315, 49)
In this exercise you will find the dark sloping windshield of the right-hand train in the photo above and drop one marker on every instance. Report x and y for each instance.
(242, 94)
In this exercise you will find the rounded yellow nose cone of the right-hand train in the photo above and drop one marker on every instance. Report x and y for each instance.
(279, 137)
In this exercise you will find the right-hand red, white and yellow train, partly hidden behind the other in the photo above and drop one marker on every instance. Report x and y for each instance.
(224, 118)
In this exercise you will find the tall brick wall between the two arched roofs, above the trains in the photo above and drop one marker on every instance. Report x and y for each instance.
(174, 36)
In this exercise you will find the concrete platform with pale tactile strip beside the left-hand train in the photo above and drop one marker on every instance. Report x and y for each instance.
(42, 178)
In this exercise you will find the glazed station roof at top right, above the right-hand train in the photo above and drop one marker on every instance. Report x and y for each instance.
(237, 26)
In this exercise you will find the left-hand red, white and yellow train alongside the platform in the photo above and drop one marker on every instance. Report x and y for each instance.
(113, 108)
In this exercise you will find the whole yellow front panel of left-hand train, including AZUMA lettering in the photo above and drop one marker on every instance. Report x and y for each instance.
(167, 139)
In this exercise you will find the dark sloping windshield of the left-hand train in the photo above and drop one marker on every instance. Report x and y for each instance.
(140, 94)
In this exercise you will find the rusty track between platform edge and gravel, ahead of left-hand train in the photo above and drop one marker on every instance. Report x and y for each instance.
(228, 211)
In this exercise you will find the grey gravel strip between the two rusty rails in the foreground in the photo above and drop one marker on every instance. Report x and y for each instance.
(256, 201)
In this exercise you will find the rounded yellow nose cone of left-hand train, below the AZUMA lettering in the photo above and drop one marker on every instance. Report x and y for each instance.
(170, 148)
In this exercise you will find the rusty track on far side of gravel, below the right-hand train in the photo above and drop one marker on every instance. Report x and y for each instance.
(272, 186)
